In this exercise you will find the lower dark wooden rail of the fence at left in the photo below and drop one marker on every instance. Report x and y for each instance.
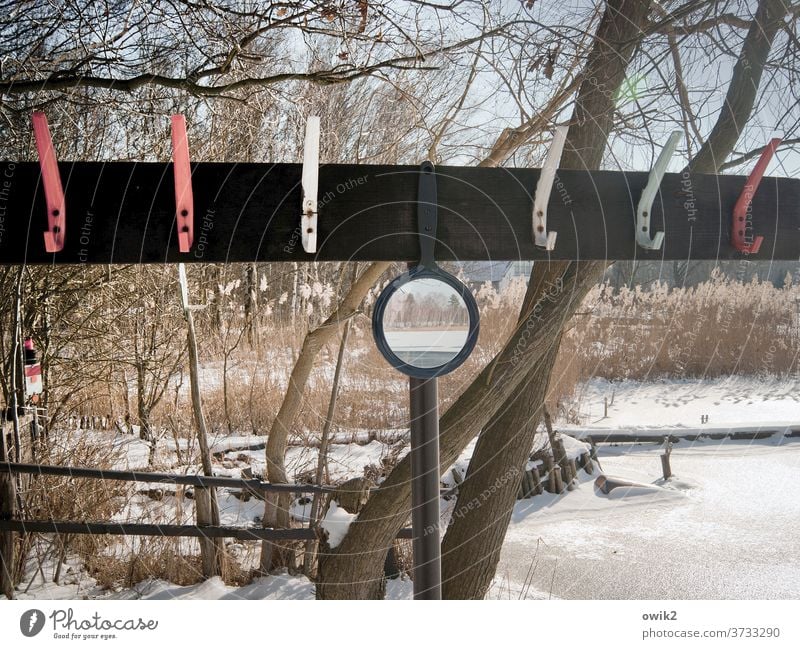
(148, 529)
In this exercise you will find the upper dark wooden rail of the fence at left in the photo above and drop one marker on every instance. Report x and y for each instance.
(168, 478)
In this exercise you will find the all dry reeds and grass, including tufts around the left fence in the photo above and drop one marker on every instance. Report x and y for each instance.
(720, 327)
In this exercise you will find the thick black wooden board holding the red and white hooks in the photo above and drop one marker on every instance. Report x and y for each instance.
(124, 212)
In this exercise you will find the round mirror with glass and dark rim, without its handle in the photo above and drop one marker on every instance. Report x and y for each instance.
(425, 323)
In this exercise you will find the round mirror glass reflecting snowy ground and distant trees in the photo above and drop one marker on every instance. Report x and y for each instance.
(426, 323)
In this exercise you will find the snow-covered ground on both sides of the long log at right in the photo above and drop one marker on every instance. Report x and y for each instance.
(727, 525)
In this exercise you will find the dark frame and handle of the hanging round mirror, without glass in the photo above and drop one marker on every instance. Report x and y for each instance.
(426, 269)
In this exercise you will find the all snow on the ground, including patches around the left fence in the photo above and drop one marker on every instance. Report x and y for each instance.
(725, 526)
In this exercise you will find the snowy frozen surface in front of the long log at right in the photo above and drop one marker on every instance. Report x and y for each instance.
(725, 527)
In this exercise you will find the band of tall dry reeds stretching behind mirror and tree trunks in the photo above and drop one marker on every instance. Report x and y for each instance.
(720, 327)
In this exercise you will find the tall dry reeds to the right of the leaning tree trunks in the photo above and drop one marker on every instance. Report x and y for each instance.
(719, 328)
